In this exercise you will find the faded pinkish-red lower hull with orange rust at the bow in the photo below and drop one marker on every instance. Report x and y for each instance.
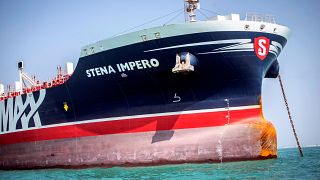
(254, 140)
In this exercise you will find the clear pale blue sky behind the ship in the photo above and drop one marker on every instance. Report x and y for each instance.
(46, 33)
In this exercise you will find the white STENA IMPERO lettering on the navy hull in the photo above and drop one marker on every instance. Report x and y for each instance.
(122, 67)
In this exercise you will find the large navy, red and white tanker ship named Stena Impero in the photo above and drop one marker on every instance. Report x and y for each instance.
(178, 93)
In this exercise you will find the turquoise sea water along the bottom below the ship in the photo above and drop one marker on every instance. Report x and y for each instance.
(289, 165)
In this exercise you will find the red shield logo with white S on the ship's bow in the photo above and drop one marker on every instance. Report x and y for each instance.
(261, 47)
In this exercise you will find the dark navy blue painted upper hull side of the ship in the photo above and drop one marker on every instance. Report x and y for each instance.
(236, 76)
